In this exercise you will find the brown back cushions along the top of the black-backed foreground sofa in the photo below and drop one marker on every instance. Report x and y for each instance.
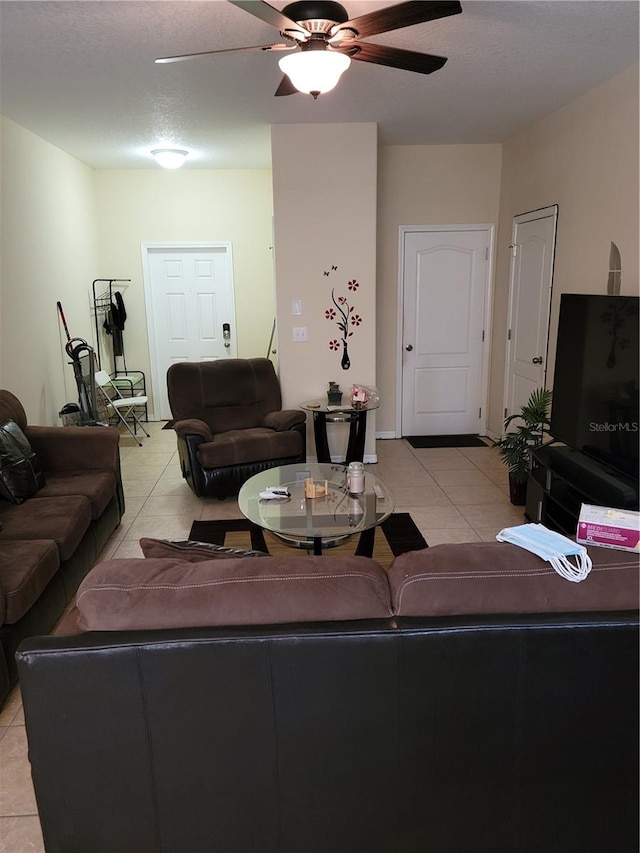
(190, 586)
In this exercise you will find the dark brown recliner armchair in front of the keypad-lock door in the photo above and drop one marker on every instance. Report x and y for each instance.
(230, 424)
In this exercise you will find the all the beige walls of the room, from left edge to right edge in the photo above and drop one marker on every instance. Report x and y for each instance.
(64, 225)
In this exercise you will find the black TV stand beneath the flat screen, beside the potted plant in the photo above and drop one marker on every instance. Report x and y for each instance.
(562, 479)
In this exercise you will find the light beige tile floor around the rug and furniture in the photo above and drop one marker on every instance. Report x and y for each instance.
(453, 495)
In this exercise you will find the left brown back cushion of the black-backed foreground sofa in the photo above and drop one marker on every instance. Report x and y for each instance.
(164, 593)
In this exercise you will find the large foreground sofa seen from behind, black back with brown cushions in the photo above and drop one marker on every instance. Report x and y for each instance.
(319, 704)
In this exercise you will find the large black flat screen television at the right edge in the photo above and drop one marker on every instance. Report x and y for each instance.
(595, 386)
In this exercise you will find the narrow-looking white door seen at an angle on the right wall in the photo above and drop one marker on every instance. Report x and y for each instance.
(530, 283)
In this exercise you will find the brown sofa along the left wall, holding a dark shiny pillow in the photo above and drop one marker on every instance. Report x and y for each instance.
(50, 541)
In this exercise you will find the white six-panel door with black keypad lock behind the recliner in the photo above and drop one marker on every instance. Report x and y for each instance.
(190, 309)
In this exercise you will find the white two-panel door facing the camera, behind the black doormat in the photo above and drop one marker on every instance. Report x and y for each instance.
(445, 298)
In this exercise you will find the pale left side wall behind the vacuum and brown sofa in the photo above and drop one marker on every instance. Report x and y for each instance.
(49, 254)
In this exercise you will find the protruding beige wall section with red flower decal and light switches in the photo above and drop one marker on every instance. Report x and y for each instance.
(324, 180)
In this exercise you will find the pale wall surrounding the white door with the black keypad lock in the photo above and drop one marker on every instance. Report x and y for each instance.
(144, 206)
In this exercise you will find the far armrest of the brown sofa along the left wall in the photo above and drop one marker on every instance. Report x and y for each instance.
(76, 448)
